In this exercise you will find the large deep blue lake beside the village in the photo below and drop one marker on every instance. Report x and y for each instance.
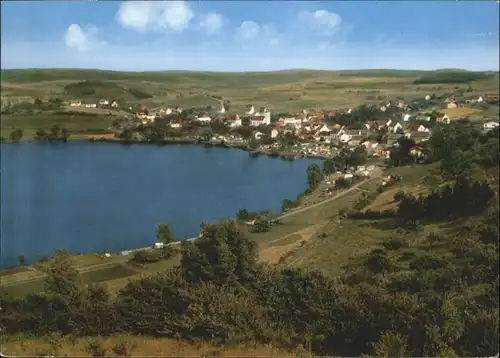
(94, 197)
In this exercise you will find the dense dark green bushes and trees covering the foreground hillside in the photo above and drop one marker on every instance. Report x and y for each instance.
(221, 293)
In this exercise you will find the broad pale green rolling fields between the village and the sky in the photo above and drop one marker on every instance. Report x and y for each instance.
(280, 91)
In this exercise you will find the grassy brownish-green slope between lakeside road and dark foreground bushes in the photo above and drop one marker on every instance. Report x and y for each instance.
(320, 240)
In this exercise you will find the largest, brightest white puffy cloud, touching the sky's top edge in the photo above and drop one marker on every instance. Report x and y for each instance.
(155, 15)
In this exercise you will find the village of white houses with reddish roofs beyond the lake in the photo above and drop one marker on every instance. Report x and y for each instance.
(310, 133)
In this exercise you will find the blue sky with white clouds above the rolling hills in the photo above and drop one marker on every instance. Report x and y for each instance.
(250, 35)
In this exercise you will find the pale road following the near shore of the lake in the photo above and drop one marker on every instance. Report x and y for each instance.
(11, 279)
